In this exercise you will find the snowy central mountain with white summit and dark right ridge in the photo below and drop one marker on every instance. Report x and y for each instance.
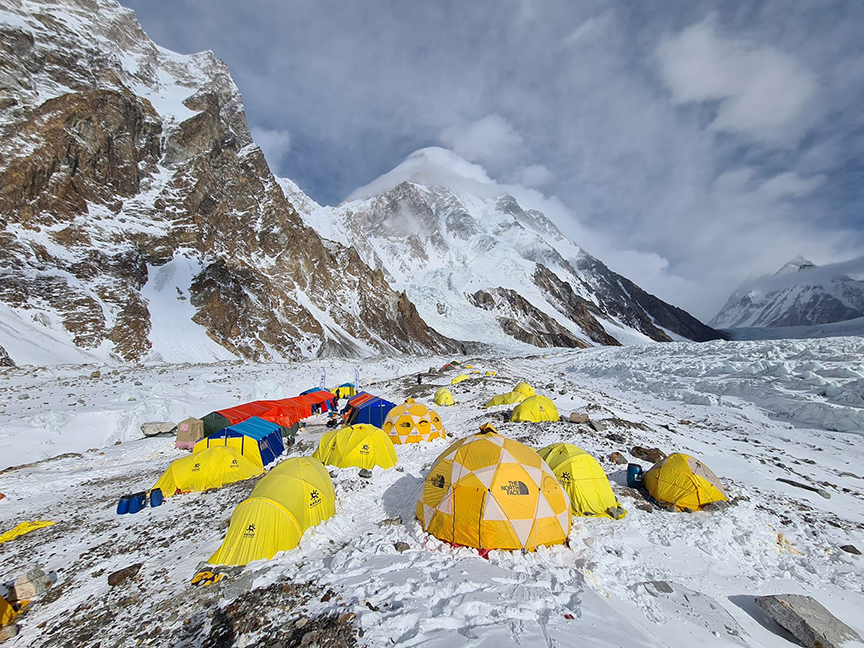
(480, 266)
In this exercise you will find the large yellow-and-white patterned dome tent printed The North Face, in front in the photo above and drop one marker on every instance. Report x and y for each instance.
(491, 492)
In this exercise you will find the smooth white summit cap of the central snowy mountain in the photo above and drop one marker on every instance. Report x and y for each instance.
(433, 167)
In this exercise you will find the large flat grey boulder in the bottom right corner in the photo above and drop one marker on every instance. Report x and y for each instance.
(807, 620)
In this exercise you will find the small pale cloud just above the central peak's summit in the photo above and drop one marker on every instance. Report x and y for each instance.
(489, 139)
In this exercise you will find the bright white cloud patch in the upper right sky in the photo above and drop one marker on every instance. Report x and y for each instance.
(762, 92)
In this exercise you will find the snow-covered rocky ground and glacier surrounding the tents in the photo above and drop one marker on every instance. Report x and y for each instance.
(753, 411)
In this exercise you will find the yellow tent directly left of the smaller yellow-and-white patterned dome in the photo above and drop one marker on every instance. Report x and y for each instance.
(363, 446)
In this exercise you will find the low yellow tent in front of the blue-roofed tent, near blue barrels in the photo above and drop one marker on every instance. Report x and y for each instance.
(211, 468)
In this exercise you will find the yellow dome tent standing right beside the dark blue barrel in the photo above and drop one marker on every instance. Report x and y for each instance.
(686, 482)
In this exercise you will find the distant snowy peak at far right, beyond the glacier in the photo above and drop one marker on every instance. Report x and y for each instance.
(799, 294)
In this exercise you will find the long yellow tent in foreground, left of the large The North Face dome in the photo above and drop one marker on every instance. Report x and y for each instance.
(294, 496)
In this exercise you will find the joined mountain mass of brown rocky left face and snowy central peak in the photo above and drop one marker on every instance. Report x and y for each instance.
(140, 222)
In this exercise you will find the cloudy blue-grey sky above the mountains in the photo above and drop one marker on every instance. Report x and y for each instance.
(691, 143)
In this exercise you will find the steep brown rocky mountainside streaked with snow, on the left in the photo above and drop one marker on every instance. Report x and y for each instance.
(117, 157)
